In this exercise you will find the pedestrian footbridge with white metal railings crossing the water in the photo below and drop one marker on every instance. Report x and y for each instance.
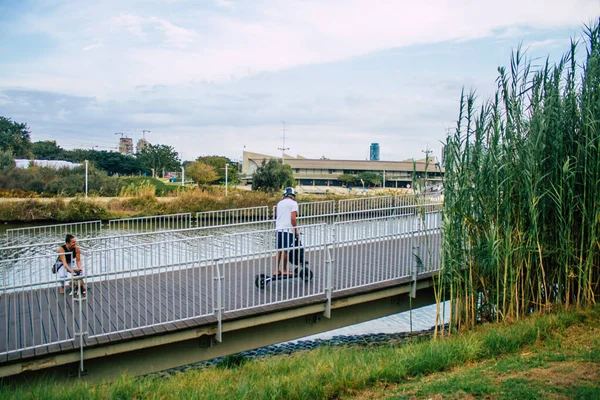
(164, 294)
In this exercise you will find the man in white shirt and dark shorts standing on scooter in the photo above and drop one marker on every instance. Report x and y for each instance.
(286, 226)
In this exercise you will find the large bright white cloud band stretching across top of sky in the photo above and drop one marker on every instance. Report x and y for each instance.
(270, 36)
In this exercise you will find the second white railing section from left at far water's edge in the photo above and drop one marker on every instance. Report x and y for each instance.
(152, 223)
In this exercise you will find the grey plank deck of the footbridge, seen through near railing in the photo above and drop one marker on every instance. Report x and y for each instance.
(43, 321)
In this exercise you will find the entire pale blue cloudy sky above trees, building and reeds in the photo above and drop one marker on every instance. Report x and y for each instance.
(217, 77)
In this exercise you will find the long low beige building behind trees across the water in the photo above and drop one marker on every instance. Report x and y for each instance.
(324, 172)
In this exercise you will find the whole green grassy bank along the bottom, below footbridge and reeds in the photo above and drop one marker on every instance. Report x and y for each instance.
(550, 356)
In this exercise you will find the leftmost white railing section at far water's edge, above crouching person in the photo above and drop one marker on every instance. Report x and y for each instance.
(58, 231)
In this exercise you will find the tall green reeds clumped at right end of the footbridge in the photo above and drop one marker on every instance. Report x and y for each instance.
(522, 191)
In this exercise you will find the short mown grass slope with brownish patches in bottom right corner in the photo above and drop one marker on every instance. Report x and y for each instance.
(566, 365)
